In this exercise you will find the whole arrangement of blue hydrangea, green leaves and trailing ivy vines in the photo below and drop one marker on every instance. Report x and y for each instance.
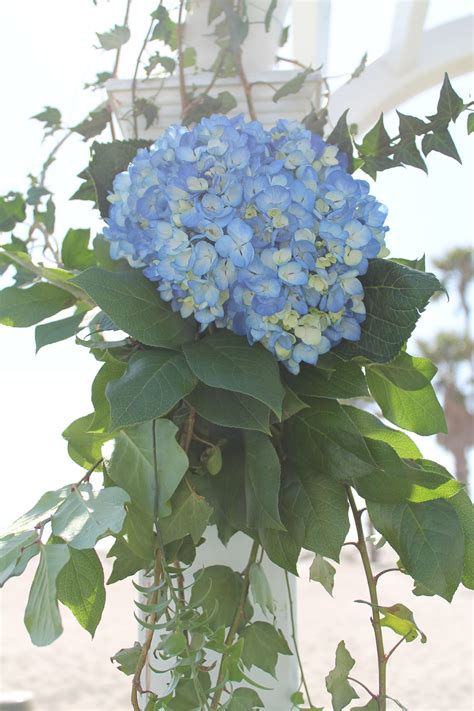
(229, 392)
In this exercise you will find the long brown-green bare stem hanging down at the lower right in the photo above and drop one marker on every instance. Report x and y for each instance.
(372, 585)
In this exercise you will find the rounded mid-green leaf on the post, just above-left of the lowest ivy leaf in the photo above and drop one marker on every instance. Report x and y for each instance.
(217, 590)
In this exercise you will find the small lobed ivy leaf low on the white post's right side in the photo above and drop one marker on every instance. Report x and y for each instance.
(262, 645)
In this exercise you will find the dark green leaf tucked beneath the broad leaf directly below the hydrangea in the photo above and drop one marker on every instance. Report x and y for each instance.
(223, 407)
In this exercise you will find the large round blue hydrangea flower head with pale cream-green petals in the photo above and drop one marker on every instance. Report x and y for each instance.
(263, 232)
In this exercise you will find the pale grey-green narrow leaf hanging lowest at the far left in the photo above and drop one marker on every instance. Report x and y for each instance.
(42, 619)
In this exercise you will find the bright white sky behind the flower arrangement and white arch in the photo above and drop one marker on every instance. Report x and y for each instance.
(47, 54)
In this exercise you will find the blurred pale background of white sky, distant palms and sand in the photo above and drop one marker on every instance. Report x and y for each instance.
(47, 55)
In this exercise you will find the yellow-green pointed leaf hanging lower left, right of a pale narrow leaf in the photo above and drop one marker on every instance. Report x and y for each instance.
(80, 586)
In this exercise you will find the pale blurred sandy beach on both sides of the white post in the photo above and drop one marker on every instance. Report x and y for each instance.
(75, 674)
